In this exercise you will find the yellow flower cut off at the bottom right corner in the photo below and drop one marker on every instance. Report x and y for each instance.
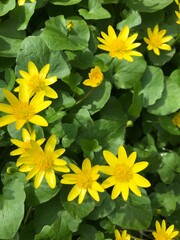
(164, 234)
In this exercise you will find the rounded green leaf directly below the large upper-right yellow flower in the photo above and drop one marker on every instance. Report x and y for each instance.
(126, 74)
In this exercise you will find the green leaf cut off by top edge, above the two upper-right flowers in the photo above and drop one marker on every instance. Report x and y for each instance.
(148, 5)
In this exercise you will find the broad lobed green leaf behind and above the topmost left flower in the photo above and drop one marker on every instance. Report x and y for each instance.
(35, 49)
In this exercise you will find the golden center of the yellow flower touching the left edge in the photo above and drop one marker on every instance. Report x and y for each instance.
(24, 111)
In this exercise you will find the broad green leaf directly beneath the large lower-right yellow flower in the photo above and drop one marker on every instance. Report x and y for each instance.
(135, 213)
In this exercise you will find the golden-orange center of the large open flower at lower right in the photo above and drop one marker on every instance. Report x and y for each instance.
(123, 173)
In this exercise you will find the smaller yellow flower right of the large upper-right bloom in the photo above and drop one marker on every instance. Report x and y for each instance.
(157, 40)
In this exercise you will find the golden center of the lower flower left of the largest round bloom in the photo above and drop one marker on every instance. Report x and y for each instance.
(84, 180)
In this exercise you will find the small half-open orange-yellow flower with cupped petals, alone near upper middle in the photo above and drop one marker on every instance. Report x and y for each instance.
(95, 77)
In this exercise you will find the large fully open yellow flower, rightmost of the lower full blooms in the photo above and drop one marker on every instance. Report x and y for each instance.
(123, 173)
